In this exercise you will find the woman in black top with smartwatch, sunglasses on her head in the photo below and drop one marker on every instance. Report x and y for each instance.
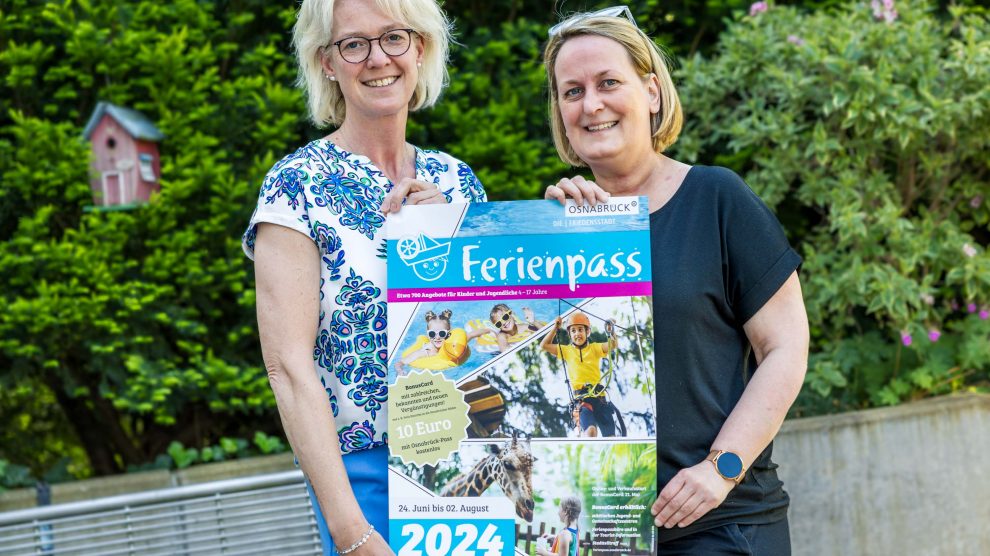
(731, 333)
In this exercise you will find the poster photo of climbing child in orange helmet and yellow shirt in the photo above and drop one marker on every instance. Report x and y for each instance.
(588, 373)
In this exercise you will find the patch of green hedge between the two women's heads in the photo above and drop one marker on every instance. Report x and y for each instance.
(494, 114)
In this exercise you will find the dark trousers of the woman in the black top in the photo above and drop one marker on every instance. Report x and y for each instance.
(772, 539)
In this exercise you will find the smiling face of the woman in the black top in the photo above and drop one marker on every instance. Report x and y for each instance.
(605, 104)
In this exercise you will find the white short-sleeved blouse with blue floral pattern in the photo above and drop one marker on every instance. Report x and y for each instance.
(334, 197)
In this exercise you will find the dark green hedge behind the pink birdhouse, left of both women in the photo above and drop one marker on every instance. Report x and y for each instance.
(138, 325)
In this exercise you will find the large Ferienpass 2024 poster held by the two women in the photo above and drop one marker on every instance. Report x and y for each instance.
(521, 383)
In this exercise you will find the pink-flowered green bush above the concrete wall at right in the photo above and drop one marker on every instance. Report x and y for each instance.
(866, 127)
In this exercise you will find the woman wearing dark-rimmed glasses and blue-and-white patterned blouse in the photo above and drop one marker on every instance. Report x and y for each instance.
(316, 239)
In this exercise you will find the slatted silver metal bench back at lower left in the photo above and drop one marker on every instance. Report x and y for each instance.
(265, 514)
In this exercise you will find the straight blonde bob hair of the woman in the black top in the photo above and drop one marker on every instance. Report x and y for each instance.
(646, 58)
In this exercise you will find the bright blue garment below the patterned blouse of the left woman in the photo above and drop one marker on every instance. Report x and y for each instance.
(368, 473)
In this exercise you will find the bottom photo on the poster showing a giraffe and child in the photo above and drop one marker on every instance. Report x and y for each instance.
(600, 490)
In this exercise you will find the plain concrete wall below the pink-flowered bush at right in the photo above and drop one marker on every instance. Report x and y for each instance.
(912, 479)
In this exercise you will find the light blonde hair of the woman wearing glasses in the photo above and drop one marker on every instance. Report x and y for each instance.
(312, 33)
